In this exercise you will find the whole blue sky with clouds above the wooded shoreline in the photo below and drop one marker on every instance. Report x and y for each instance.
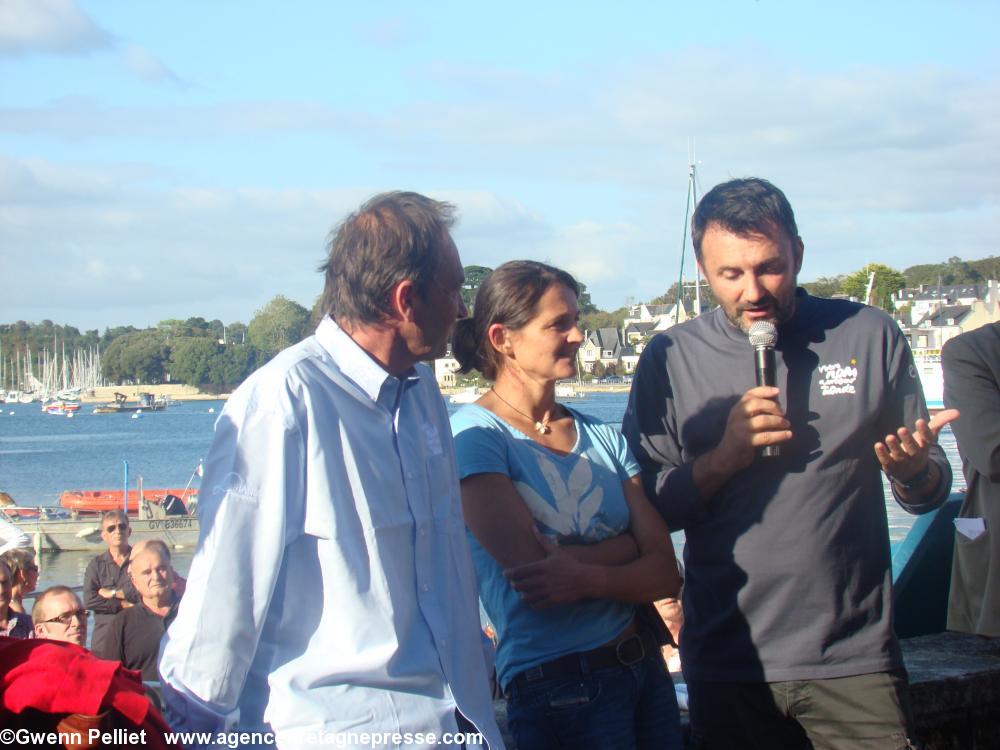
(182, 159)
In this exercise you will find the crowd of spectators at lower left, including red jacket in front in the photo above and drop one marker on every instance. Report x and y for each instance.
(50, 681)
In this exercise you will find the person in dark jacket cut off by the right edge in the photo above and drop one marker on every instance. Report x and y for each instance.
(971, 365)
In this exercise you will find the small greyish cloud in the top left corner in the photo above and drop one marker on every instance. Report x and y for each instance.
(48, 26)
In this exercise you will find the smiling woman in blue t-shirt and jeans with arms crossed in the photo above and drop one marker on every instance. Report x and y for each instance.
(564, 540)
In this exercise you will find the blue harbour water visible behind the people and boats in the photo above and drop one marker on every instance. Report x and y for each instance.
(43, 455)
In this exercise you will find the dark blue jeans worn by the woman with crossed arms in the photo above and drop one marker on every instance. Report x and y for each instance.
(619, 708)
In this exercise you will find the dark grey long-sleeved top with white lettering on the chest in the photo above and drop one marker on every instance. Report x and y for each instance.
(788, 572)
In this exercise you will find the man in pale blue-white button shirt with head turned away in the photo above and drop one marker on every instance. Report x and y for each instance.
(332, 599)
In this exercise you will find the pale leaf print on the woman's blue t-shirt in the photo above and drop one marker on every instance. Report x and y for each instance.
(578, 502)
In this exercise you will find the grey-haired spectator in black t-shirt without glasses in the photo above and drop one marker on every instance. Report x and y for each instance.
(135, 634)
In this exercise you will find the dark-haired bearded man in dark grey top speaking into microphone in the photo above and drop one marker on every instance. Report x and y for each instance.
(787, 635)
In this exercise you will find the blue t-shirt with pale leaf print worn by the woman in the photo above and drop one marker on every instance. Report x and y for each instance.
(576, 497)
